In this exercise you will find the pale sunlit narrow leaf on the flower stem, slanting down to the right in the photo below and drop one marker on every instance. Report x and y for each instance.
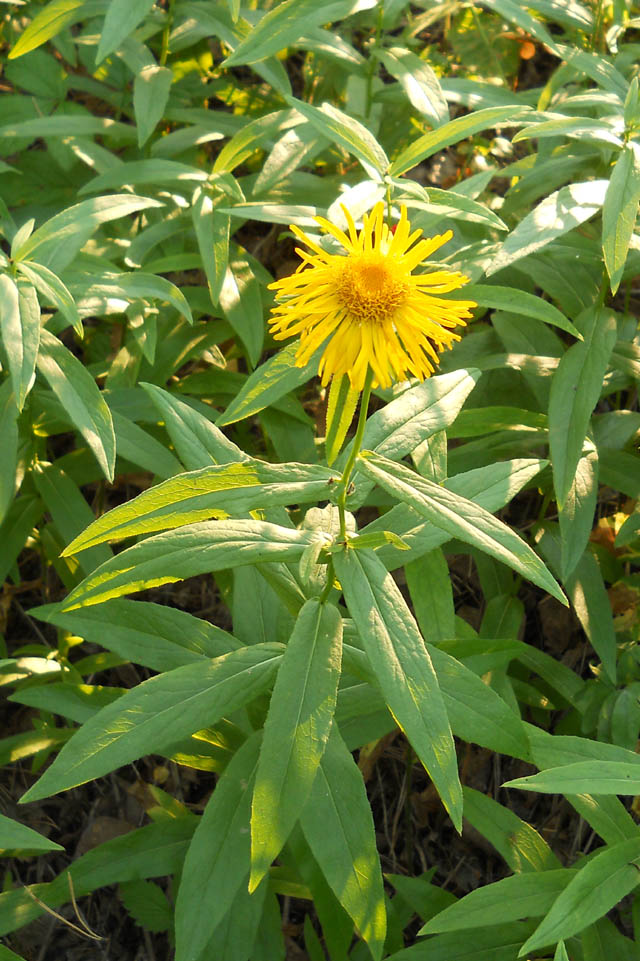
(460, 518)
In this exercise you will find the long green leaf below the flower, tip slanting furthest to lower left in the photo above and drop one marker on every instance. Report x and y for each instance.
(158, 713)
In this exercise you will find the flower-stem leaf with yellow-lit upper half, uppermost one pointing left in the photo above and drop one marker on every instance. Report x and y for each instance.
(212, 491)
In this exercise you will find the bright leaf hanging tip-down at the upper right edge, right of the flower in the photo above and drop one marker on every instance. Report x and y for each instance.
(620, 210)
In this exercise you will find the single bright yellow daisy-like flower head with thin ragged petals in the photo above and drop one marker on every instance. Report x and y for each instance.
(368, 305)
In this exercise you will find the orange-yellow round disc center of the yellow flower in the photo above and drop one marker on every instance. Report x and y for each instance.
(371, 287)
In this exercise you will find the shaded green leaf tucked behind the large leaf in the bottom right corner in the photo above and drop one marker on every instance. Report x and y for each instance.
(527, 895)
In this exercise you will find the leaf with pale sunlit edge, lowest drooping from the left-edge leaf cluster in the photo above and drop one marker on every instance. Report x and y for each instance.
(78, 393)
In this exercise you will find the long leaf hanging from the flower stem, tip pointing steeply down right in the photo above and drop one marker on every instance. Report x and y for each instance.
(402, 667)
